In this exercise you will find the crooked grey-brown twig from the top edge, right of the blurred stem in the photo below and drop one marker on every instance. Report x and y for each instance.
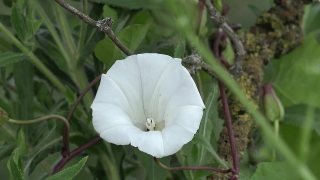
(215, 15)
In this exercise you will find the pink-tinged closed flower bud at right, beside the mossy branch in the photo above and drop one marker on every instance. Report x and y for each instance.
(271, 105)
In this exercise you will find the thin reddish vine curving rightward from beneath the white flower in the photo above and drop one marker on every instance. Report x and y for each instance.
(191, 167)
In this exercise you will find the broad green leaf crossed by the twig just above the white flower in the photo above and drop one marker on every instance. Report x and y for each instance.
(107, 52)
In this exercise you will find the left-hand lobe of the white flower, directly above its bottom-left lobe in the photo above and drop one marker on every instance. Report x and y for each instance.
(105, 116)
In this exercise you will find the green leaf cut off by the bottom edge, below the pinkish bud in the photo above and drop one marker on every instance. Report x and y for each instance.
(275, 170)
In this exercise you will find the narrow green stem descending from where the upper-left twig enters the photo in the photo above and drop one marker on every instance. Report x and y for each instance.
(64, 27)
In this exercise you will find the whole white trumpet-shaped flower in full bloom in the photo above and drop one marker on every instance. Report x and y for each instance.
(149, 101)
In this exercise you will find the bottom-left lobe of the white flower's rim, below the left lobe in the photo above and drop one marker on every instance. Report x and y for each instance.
(120, 134)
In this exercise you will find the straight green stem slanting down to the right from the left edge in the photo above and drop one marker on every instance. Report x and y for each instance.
(36, 62)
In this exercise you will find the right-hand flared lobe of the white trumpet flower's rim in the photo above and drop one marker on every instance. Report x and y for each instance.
(188, 117)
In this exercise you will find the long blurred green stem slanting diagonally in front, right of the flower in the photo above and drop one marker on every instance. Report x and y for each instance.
(225, 77)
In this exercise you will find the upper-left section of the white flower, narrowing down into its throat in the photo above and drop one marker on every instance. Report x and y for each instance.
(126, 74)
